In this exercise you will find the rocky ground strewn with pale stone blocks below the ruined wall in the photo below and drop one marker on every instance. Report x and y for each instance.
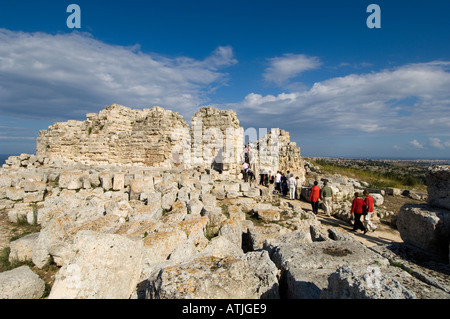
(187, 234)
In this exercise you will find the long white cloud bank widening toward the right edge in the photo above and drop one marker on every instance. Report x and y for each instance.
(408, 99)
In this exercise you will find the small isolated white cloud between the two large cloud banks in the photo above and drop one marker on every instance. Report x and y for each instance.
(289, 66)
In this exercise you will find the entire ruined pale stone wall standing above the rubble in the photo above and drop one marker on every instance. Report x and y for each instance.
(156, 137)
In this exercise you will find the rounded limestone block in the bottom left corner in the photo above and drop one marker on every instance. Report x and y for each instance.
(21, 283)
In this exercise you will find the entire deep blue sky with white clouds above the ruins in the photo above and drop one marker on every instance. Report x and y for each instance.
(313, 68)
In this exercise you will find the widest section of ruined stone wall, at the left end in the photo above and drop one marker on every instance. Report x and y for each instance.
(117, 135)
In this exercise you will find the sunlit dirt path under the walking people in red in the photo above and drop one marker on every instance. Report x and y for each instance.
(384, 234)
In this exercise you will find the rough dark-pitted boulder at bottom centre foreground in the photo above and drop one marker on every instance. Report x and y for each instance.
(247, 277)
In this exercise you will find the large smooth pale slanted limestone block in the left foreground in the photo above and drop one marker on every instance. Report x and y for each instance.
(105, 266)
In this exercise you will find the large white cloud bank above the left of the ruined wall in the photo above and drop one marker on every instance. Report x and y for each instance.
(65, 75)
